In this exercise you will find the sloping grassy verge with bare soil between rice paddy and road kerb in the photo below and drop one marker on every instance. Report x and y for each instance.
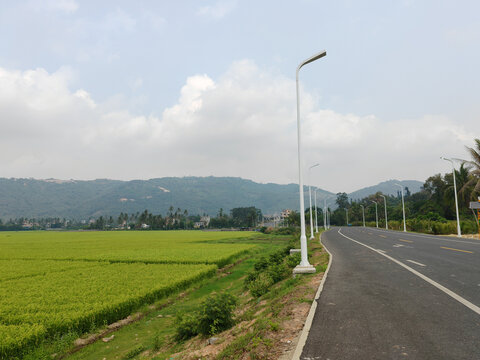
(261, 322)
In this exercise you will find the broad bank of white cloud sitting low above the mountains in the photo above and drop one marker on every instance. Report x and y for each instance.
(241, 124)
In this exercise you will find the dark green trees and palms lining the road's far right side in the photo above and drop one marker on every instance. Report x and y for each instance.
(432, 210)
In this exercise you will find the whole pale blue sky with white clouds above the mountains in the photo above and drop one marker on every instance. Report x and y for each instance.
(146, 89)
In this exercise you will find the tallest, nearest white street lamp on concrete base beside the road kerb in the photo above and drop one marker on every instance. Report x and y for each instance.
(304, 266)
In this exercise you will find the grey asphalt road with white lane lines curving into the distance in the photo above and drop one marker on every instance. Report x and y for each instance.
(396, 295)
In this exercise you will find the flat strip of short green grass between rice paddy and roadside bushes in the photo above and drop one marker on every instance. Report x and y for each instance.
(159, 325)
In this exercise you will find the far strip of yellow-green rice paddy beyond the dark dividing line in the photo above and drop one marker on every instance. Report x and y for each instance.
(186, 247)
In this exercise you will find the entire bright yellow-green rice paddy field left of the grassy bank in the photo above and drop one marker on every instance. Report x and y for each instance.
(55, 282)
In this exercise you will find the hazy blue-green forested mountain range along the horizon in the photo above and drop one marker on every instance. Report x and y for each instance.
(84, 199)
